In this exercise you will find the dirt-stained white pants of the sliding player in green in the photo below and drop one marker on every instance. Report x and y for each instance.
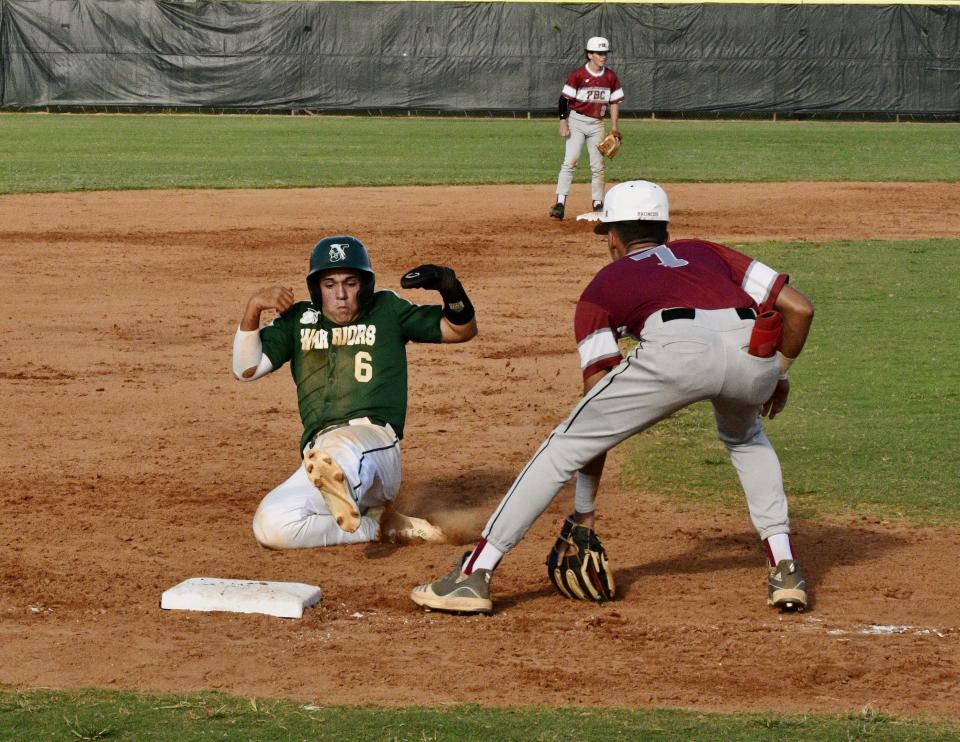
(295, 516)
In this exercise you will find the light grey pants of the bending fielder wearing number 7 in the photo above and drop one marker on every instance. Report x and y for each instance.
(675, 364)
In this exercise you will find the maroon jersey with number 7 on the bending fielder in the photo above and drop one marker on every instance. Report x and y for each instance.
(683, 273)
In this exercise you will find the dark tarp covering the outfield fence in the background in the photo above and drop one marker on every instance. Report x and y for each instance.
(447, 56)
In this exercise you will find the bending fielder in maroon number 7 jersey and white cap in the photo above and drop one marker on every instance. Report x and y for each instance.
(691, 306)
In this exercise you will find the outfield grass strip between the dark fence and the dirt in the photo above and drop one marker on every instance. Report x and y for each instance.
(69, 152)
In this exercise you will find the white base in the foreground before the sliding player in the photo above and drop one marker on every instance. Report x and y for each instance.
(283, 599)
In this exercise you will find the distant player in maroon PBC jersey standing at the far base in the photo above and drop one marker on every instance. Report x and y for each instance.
(589, 91)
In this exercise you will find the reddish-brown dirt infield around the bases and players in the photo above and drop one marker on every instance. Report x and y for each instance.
(132, 460)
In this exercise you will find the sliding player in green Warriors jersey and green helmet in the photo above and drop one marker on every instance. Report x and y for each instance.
(347, 352)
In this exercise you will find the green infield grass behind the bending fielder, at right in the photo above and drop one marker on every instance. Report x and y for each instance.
(871, 425)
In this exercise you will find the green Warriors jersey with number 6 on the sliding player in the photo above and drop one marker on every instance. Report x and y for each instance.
(353, 370)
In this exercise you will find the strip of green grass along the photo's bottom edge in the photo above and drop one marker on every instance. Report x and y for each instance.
(91, 715)
